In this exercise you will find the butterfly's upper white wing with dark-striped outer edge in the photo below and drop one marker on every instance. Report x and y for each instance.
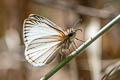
(36, 27)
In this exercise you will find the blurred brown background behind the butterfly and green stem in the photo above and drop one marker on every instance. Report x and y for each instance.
(100, 61)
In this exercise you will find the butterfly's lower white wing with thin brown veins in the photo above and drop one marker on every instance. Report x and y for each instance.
(40, 53)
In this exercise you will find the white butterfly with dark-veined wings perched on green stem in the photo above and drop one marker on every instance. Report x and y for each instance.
(43, 38)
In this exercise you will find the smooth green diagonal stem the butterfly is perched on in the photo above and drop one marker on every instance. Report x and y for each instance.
(81, 48)
